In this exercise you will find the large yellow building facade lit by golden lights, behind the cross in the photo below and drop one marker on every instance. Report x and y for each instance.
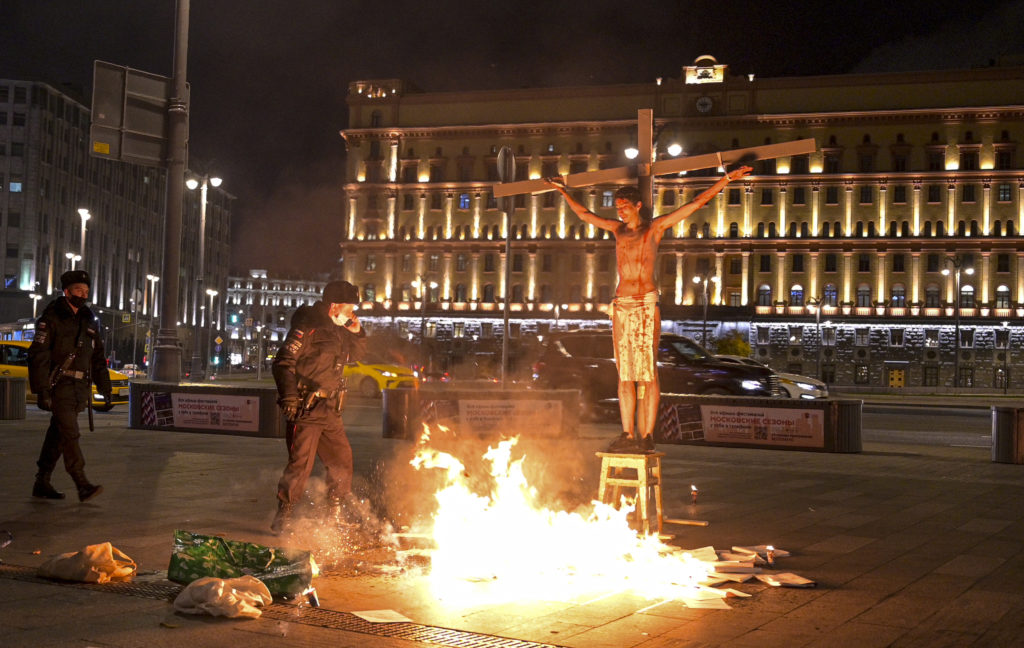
(831, 264)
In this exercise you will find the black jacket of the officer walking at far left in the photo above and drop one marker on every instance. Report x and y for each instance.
(58, 334)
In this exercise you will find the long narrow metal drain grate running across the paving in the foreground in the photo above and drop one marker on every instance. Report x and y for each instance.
(319, 617)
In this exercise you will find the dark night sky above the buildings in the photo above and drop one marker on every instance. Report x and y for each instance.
(270, 77)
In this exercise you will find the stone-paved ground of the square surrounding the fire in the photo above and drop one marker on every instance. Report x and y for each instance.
(911, 545)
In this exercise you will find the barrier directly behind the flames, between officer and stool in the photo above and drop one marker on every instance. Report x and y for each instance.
(482, 412)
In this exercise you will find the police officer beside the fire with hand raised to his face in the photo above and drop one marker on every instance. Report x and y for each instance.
(309, 370)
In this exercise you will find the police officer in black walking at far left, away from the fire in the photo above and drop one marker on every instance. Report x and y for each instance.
(66, 356)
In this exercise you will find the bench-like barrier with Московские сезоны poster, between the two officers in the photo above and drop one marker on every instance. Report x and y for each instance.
(207, 409)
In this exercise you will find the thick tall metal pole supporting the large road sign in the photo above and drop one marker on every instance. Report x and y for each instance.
(167, 353)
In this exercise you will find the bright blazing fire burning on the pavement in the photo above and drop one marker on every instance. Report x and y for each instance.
(502, 546)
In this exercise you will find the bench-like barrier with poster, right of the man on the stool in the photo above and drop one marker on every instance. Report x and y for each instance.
(828, 426)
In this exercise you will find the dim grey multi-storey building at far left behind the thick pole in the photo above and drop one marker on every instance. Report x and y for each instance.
(48, 176)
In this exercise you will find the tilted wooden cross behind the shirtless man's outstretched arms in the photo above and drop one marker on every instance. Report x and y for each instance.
(647, 168)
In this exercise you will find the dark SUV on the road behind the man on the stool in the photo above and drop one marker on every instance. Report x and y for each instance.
(585, 361)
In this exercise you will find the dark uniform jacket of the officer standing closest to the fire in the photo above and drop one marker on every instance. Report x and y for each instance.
(314, 354)
